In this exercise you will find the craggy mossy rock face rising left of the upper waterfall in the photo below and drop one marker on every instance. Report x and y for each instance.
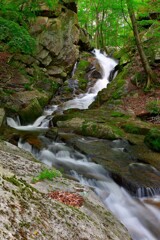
(58, 41)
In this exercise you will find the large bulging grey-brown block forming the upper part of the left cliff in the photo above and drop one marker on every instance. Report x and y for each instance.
(59, 39)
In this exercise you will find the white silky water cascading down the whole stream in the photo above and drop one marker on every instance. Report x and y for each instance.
(141, 219)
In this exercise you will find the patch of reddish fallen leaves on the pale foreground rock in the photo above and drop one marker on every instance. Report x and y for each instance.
(71, 199)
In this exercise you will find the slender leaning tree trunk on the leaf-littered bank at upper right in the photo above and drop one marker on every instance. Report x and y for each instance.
(151, 77)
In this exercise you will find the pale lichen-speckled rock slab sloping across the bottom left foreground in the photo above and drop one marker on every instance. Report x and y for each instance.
(28, 213)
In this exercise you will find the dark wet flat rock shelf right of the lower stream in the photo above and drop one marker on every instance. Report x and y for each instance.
(126, 163)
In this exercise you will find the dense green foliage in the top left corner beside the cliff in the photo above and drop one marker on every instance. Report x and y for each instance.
(14, 24)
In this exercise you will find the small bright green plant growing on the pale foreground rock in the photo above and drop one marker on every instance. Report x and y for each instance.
(47, 174)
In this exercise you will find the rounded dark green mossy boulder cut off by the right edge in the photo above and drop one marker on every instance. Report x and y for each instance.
(152, 139)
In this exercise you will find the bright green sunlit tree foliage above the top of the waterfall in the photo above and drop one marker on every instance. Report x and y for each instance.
(108, 21)
